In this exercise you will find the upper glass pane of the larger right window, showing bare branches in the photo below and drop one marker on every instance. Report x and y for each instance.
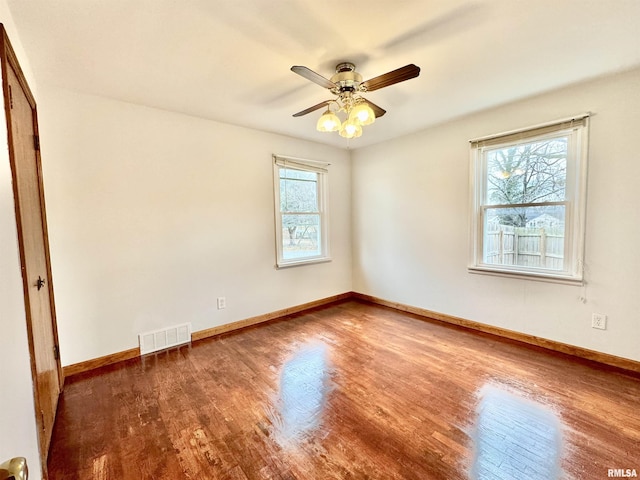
(527, 173)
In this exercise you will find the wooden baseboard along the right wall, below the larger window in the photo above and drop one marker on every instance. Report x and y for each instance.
(580, 352)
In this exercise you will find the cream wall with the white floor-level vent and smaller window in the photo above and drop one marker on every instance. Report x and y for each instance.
(152, 215)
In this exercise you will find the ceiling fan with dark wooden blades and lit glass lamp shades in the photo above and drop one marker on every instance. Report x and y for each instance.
(347, 86)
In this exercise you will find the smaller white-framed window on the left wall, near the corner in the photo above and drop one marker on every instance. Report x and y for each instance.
(301, 213)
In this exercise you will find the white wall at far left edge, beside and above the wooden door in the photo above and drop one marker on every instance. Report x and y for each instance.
(17, 414)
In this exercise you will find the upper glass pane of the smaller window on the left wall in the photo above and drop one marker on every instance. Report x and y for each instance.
(298, 191)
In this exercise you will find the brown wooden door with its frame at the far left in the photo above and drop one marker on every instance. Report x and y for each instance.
(24, 155)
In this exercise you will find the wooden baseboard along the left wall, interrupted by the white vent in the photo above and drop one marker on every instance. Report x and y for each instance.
(94, 363)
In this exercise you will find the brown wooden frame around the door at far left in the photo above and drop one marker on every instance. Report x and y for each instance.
(8, 59)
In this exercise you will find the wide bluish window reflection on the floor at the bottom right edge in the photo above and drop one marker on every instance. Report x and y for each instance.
(515, 438)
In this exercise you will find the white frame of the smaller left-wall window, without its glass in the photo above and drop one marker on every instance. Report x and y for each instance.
(321, 168)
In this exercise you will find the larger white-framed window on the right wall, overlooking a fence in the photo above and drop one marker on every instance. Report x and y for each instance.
(528, 211)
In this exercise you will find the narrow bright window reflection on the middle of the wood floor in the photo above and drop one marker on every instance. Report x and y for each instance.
(305, 381)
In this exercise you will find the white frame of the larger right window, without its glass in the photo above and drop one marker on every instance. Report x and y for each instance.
(576, 129)
